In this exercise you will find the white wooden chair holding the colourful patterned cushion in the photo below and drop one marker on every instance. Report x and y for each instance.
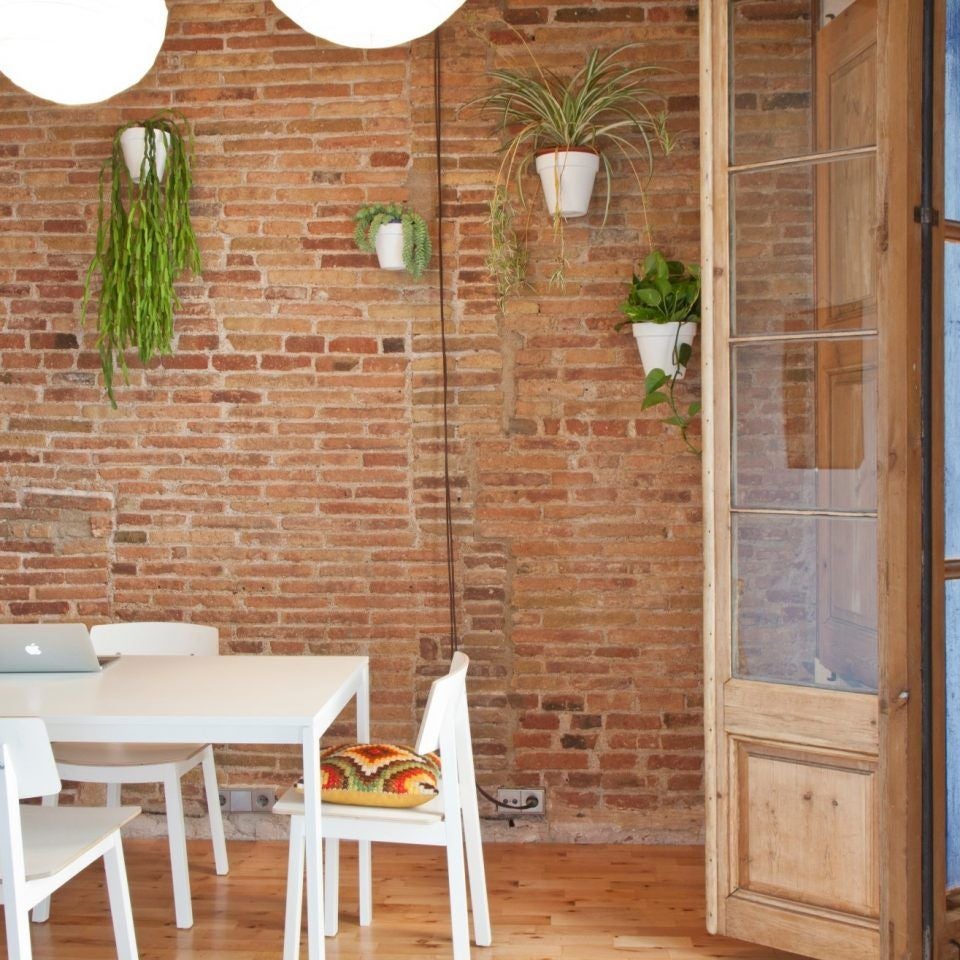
(447, 820)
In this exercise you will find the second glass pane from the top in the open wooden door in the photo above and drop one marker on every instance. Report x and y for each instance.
(802, 247)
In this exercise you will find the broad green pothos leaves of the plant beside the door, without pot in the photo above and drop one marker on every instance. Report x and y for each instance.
(666, 291)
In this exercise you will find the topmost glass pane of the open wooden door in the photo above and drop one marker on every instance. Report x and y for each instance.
(801, 85)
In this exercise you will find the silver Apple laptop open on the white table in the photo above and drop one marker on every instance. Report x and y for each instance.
(48, 648)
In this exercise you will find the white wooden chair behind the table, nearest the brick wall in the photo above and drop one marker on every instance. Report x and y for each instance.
(117, 764)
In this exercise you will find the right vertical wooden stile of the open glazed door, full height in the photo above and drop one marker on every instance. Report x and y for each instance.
(899, 477)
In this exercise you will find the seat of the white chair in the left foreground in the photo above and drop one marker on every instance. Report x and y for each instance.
(56, 836)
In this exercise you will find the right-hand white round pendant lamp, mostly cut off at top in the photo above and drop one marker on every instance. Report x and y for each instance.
(368, 24)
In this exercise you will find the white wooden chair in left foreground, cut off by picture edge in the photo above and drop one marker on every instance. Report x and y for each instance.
(41, 848)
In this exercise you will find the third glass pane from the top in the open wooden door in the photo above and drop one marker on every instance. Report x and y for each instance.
(804, 416)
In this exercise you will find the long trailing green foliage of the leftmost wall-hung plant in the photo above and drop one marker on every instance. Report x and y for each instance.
(143, 245)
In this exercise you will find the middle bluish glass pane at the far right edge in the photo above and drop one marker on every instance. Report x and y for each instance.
(951, 397)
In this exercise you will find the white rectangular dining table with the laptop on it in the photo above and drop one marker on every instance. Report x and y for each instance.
(220, 700)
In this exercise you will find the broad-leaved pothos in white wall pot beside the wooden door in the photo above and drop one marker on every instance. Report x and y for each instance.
(663, 311)
